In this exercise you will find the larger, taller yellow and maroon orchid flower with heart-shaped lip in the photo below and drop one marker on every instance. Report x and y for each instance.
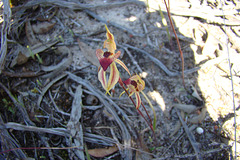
(107, 60)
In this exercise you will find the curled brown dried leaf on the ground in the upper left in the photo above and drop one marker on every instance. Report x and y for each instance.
(42, 27)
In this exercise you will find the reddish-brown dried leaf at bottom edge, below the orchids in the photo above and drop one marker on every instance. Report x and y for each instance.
(102, 152)
